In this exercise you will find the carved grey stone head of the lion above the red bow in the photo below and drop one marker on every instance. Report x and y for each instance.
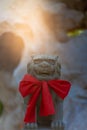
(44, 67)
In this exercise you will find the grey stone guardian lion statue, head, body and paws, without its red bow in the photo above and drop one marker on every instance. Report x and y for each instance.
(46, 67)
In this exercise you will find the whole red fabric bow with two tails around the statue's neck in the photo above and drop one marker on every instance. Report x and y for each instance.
(30, 85)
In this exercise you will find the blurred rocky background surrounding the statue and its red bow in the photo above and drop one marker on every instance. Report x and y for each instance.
(57, 27)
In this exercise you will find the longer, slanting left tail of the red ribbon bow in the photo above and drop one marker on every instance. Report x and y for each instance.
(30, 115)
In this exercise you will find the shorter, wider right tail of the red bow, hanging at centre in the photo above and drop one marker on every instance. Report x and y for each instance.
(47, 106)
